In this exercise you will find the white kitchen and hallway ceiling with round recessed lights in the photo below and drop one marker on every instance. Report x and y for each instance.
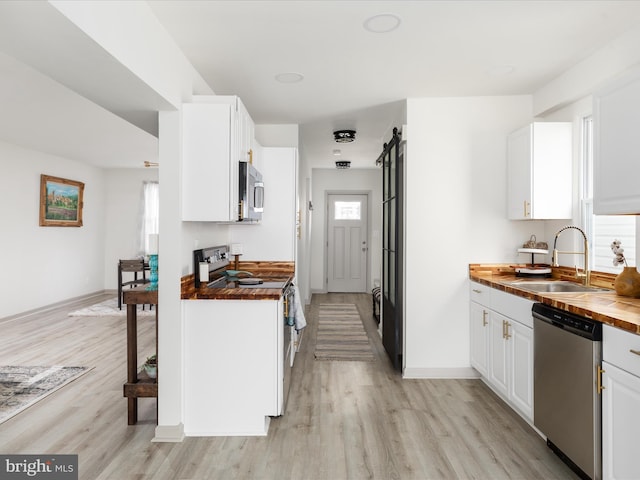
(353, 78)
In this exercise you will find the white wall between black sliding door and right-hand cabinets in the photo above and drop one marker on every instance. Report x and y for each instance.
(455, 215)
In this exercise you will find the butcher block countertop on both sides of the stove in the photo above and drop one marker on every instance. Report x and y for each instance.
(272, 271)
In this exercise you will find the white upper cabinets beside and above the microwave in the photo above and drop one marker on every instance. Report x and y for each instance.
(217, 133)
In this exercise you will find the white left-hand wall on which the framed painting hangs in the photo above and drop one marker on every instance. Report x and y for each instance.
(46, 265)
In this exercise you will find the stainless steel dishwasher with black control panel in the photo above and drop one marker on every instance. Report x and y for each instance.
(567, 356)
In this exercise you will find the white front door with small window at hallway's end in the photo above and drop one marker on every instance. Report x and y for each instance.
(347, 243)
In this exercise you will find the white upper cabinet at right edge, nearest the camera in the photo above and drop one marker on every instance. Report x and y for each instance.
(616, 168)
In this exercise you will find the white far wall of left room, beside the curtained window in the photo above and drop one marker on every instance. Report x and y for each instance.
(123, 205)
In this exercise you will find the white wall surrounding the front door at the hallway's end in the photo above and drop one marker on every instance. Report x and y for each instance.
(333, 180)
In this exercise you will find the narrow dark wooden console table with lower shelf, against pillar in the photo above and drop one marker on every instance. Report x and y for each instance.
(137, 385)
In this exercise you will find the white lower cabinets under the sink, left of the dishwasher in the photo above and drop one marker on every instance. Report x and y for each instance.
(502, 346)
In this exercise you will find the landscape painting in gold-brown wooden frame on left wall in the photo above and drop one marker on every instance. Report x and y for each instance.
(61, 202)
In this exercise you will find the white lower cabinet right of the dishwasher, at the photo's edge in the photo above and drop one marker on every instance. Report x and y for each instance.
(620, 403)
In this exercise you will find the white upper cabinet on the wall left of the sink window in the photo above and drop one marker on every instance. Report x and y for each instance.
(539, 172)
